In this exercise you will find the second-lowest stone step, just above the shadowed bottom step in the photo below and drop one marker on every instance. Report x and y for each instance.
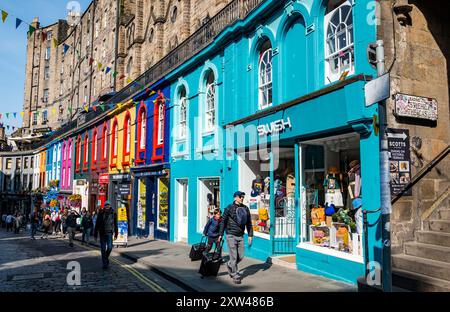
(431, 268)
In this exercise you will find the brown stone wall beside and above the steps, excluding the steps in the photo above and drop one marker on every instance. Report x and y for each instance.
(421, 46)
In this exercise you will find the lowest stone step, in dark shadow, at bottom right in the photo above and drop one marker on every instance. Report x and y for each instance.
(418, 282)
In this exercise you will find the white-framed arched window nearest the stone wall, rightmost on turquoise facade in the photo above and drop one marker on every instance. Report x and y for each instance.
(339, 48)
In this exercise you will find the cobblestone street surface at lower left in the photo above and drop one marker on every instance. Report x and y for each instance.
(41, 265)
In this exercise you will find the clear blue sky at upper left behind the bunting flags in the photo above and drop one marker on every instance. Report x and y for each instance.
(13, 45)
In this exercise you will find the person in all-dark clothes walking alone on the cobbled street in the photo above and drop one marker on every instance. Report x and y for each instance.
(105, 226)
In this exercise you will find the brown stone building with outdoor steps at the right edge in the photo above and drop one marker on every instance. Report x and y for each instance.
(418, 54)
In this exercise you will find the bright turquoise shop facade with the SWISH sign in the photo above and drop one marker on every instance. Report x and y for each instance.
(305, 93)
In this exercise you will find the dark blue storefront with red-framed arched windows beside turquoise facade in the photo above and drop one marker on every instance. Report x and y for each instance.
(152, 163)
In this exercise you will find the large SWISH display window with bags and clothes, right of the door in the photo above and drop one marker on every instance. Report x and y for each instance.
(331, 189)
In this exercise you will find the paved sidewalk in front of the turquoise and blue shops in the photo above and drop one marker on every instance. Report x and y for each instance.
(172, 261)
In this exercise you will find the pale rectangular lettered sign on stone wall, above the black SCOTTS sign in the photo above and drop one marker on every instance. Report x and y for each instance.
(416, 107)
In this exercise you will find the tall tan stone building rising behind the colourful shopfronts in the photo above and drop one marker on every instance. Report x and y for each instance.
(123, 36)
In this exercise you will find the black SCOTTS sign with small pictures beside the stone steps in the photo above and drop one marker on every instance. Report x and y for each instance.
(399, 160)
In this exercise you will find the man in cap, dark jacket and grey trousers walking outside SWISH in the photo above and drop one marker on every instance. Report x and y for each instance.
(236, 218)
